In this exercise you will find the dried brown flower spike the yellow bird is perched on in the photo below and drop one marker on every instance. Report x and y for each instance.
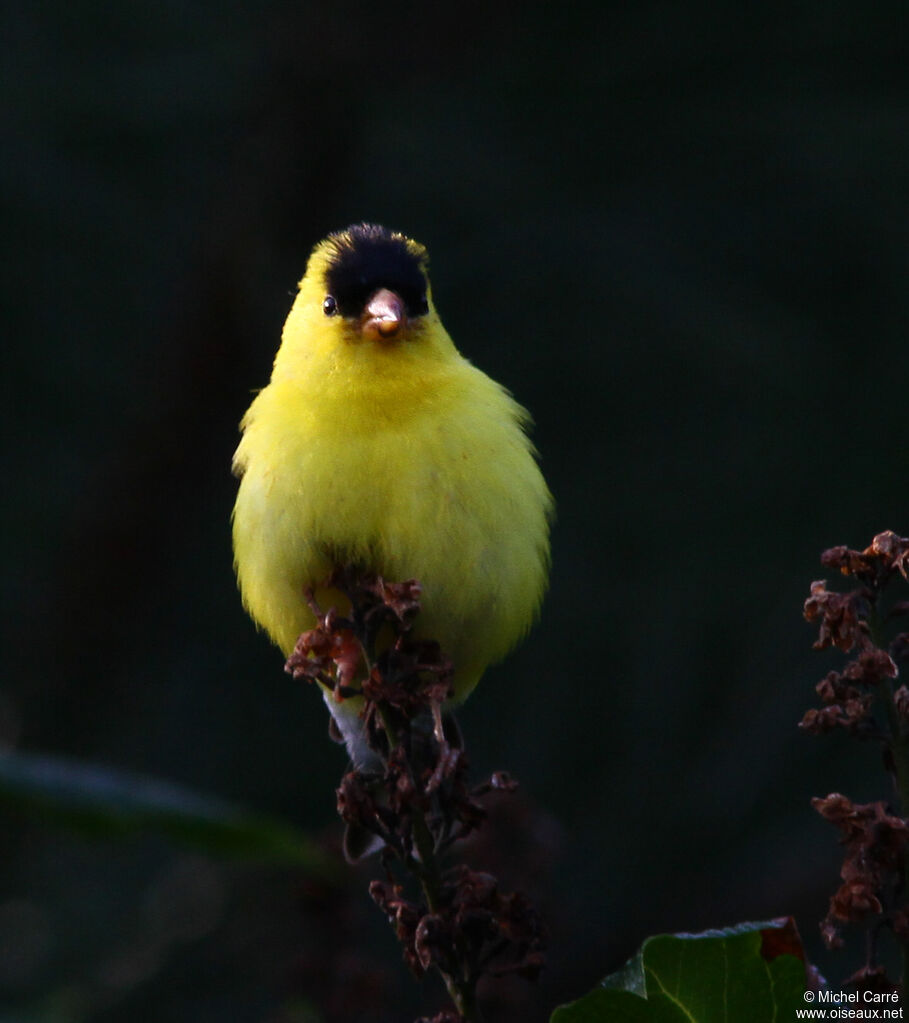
(419, 803)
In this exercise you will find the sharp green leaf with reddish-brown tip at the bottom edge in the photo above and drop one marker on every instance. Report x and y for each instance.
(753, 972)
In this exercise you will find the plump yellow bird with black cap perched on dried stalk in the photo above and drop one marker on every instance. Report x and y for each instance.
(377, 443)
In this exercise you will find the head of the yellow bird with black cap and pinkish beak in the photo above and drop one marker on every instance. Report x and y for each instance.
(367, 297)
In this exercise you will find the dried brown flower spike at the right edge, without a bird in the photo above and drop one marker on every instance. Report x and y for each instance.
(868, 700)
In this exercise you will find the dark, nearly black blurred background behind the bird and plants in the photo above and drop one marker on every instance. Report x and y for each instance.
(679, 235)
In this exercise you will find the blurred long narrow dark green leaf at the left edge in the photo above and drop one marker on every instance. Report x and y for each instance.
(111, 804)
